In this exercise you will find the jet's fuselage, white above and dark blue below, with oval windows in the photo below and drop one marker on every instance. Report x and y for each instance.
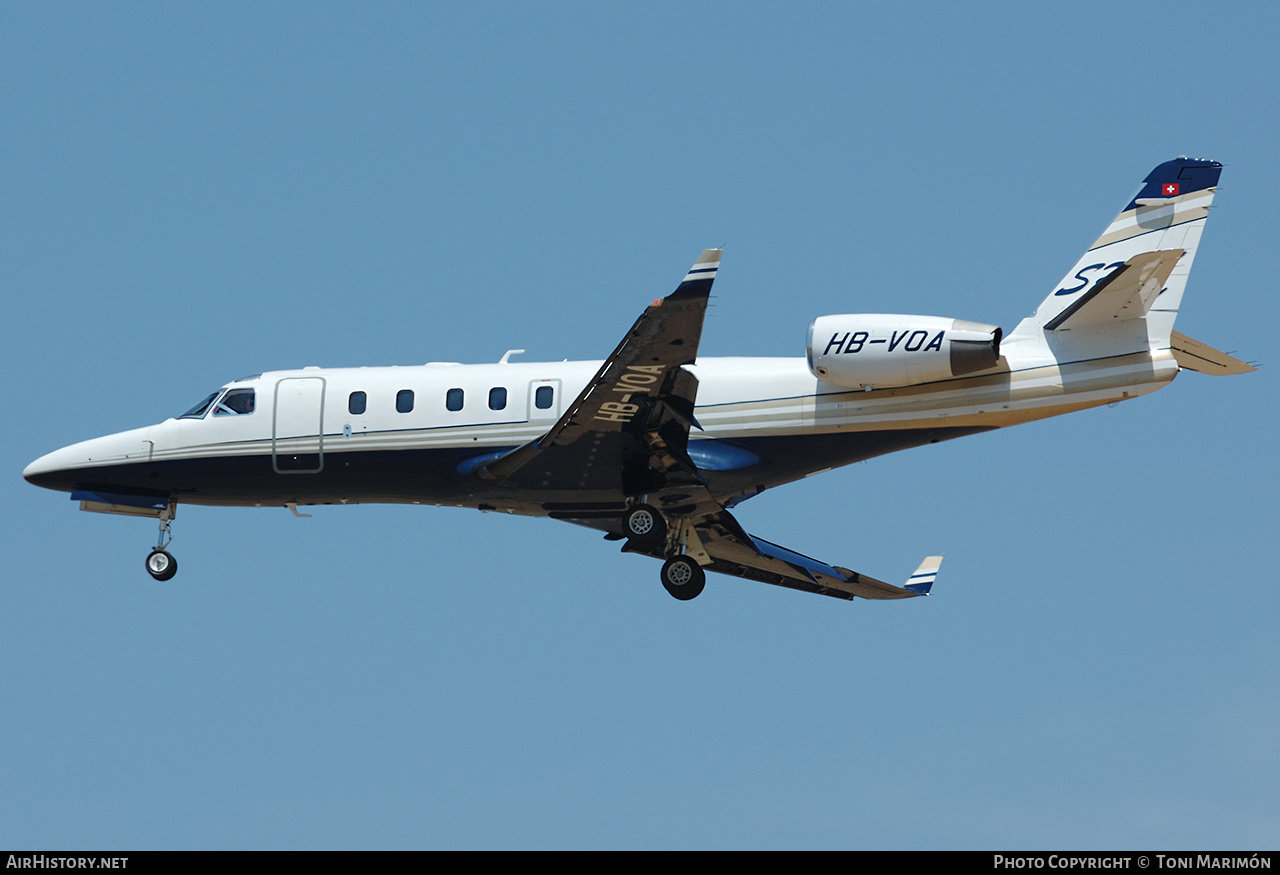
(309, 427)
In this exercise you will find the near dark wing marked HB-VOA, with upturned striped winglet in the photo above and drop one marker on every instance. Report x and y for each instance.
(628, 432)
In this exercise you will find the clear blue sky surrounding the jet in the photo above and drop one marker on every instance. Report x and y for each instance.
(199, 193)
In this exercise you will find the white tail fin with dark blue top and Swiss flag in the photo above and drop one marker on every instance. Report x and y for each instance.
(1139, 268)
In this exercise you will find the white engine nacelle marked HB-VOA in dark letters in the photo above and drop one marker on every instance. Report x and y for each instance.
(884, 351)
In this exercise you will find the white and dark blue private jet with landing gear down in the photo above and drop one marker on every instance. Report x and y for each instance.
(657, 447)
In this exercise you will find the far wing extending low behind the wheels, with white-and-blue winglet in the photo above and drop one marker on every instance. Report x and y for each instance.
(720, 544)
